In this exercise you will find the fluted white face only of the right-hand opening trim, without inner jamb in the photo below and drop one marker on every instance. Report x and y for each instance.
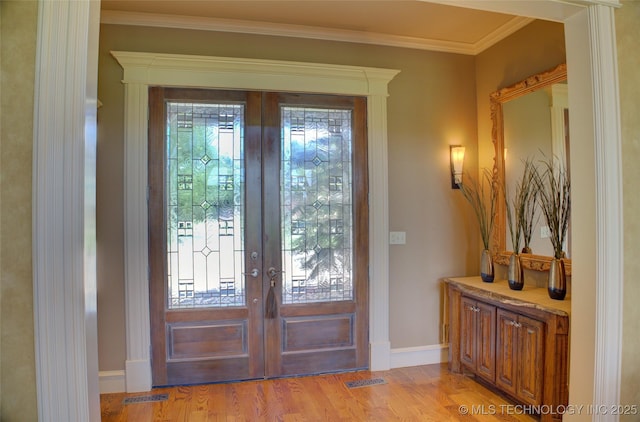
(610, 234)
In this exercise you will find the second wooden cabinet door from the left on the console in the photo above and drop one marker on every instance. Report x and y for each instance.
(486, 341)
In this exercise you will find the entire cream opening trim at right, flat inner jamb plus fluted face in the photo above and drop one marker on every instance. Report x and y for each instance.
(597, 249)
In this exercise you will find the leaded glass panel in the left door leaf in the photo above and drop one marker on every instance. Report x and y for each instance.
(205, 212)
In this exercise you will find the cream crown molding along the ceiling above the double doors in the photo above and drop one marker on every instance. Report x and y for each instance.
(113, 17)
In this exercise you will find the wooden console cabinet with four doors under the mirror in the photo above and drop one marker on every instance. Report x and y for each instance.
(516, 341)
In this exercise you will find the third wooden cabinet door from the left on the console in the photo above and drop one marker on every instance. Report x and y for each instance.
(506, 351)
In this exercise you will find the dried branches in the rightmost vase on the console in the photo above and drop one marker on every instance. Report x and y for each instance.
(554, 197)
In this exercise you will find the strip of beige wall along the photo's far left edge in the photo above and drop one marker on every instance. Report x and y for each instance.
(17, 61)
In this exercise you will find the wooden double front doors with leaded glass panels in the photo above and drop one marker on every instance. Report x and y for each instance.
(258, 234)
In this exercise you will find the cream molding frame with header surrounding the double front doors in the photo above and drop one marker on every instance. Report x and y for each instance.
(142, 70)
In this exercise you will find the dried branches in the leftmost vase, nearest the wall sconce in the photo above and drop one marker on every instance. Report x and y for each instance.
(482, 196)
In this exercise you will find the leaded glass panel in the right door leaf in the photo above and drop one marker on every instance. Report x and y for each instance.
(317, 204)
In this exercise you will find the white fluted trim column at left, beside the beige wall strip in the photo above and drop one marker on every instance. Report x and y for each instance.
(64, 279)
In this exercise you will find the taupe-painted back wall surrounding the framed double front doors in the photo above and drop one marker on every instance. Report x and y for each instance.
(431, 104)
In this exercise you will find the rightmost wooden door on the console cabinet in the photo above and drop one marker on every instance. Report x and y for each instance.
(531, 355)
